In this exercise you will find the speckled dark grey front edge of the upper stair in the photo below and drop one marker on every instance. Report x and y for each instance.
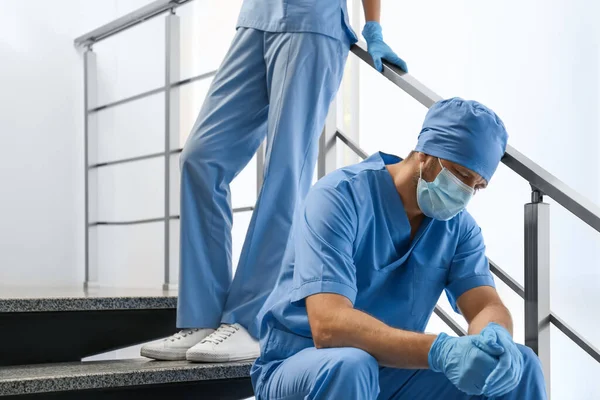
(86, 304)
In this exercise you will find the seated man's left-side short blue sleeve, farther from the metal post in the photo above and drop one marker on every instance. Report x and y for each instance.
(324, 238)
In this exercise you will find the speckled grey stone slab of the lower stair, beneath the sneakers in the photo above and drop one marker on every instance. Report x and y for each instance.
(179, 372)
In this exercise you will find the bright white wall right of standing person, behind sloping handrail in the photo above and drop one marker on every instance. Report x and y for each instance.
(536, 64)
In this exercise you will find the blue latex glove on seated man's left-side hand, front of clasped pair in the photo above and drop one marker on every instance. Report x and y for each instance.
(466, 361)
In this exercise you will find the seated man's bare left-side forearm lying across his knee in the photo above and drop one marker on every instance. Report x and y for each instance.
(391, 347)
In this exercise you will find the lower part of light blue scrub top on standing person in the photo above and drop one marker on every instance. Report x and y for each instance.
(316, 16)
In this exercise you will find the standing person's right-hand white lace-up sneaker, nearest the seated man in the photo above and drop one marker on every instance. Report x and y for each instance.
(228, 343)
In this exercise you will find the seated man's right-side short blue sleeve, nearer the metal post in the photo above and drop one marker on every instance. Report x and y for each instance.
(470, 267)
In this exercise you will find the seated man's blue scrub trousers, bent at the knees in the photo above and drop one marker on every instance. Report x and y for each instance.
(353, 374)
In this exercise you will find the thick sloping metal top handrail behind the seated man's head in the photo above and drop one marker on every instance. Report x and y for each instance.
(537, 176)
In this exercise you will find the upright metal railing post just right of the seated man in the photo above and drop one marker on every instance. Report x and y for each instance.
(537, 280)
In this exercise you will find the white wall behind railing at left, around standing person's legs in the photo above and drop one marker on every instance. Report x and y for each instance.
(41, 124)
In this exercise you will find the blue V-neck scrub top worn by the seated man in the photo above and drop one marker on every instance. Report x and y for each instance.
(353, 238)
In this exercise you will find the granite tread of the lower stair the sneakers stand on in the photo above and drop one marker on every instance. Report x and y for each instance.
(44, 378)
